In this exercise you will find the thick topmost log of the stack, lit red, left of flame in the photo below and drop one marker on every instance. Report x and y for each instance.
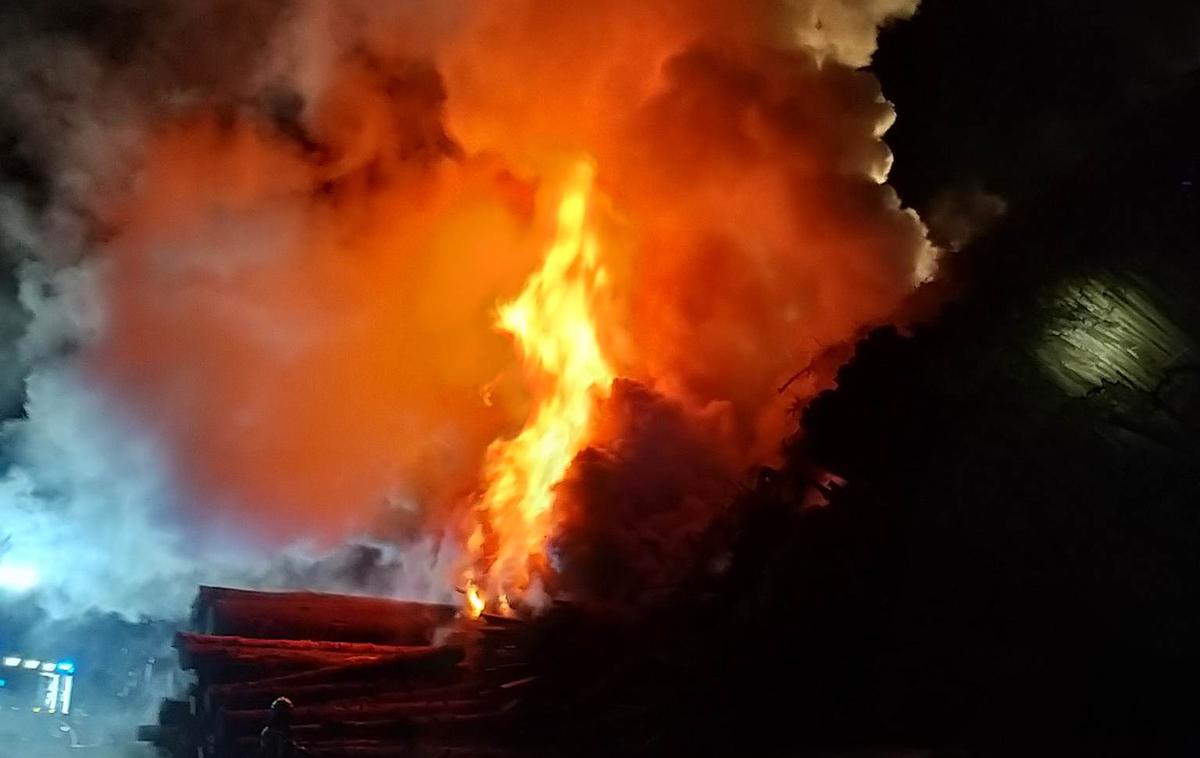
(316, 616)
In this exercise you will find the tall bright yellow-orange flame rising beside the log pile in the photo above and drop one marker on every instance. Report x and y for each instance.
(554, 324)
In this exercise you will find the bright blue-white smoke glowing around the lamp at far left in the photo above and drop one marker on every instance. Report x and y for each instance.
(87, 507)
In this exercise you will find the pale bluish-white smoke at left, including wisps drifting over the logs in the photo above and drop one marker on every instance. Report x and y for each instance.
(91, 508)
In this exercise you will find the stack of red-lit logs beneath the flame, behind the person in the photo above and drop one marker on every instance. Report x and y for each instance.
(371, 678)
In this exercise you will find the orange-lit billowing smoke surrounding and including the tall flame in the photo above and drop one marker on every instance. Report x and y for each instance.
(301, 276)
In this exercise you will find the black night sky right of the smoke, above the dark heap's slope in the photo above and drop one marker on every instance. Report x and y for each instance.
(1009, 95)
